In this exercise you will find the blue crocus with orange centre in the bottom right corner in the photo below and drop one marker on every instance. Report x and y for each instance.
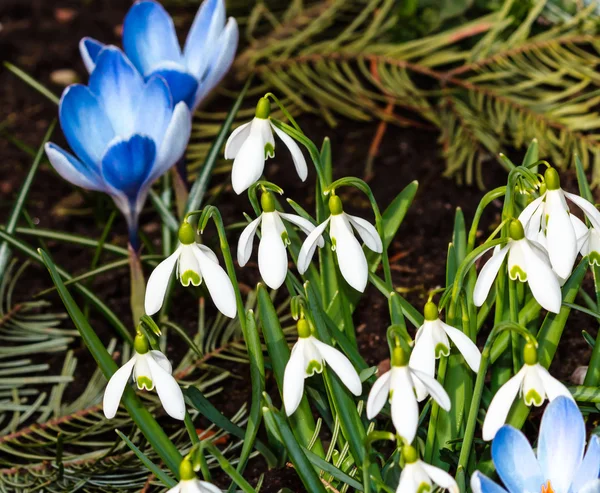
(559, 466)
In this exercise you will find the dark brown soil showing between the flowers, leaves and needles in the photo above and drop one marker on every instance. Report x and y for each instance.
(41, 37)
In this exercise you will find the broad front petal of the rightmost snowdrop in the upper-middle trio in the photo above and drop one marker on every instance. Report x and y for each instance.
(351, 258)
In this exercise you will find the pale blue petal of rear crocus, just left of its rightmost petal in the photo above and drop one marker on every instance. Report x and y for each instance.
(202, 36)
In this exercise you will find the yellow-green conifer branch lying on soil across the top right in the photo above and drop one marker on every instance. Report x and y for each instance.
(482, 85)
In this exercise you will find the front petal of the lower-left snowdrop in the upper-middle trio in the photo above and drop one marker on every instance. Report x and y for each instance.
(272, 255)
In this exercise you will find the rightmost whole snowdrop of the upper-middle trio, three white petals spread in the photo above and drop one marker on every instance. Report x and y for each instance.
(350, 255)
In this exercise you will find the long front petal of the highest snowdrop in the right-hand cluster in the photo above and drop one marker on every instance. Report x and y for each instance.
(562, 244)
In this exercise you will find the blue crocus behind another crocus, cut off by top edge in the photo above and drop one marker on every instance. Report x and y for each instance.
(150, 42)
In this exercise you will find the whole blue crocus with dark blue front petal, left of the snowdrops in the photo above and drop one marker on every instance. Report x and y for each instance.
(124, 133)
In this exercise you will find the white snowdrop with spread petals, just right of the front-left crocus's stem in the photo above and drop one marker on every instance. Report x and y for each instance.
(195, 263)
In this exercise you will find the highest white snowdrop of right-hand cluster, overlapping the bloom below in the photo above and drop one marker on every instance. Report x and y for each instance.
(549, 217)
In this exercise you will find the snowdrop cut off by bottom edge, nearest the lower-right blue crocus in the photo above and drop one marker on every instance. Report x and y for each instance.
(418, 476)
